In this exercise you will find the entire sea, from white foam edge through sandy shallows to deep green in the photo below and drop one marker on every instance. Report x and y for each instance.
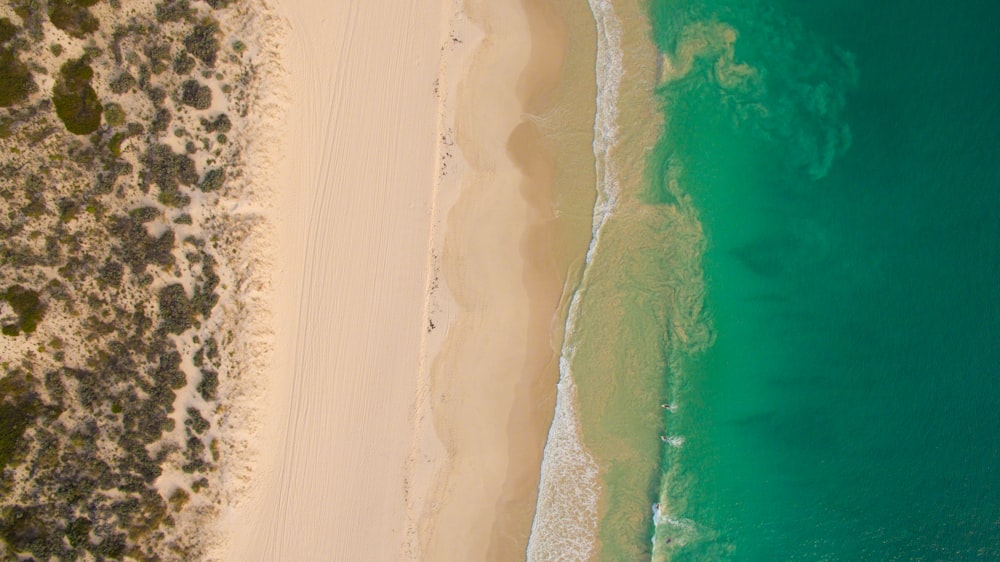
(806, 263)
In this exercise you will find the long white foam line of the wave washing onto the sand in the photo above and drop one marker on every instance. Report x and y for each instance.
(565, 523)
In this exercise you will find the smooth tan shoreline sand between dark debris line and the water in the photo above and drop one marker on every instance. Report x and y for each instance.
(500, 262)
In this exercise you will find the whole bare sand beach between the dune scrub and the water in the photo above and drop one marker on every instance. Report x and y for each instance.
(415, 292)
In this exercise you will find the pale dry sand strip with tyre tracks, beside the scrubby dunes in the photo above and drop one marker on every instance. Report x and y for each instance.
(352, 218)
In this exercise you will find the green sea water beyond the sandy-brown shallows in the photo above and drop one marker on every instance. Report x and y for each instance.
(842, 158)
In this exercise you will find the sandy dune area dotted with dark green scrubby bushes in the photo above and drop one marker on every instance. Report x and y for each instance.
(114, 119)
